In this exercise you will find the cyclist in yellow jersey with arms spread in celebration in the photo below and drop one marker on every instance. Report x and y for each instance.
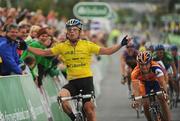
(77, 57)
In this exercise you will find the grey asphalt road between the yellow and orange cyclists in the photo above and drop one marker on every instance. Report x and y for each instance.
(113, 103)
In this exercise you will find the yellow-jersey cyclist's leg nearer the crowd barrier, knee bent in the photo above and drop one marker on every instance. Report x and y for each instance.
(67, 90)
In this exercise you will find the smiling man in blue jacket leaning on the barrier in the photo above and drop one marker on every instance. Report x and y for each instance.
(8, 53)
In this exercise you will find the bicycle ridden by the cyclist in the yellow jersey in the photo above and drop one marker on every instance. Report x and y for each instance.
(78, 100)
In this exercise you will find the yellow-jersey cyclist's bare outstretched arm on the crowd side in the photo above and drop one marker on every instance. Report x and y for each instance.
(40, 52)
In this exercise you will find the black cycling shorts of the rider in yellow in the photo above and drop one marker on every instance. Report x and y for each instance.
(84, 84)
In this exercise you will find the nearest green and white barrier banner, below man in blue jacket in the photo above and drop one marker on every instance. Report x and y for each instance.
(19, 100)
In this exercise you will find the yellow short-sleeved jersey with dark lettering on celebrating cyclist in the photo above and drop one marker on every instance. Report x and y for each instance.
(77, 58)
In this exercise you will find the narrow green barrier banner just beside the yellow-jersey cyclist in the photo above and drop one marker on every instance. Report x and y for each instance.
(52, 91)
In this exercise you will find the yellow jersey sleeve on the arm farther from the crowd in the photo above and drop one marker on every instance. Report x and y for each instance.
(94, 48)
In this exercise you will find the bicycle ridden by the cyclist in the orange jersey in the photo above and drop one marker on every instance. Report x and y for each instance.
(154, 108)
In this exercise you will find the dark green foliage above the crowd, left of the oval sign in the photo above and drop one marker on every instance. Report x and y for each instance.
(62, 7)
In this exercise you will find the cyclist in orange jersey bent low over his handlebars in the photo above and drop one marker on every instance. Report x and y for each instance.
(146, 76)
